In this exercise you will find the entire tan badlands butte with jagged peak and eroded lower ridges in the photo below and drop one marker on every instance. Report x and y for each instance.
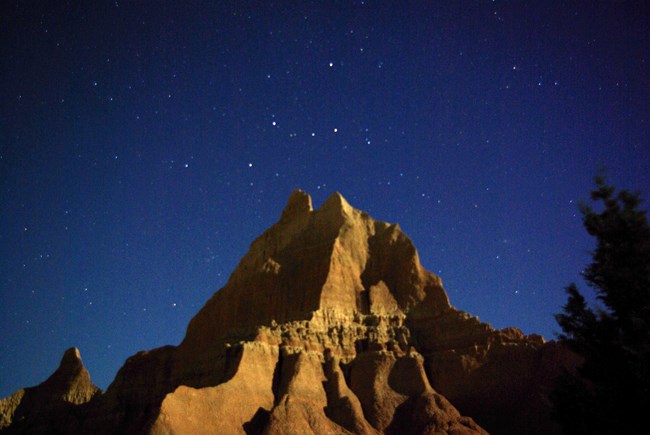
(328, 325)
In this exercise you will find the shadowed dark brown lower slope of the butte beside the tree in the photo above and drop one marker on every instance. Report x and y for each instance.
(472, 364)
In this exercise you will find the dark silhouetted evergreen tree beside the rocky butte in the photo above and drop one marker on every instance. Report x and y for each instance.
(610, 391)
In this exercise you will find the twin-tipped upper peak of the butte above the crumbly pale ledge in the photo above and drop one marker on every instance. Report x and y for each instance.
(318, 263)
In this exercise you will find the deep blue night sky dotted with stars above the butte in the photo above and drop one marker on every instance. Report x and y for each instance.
(145, 144)
